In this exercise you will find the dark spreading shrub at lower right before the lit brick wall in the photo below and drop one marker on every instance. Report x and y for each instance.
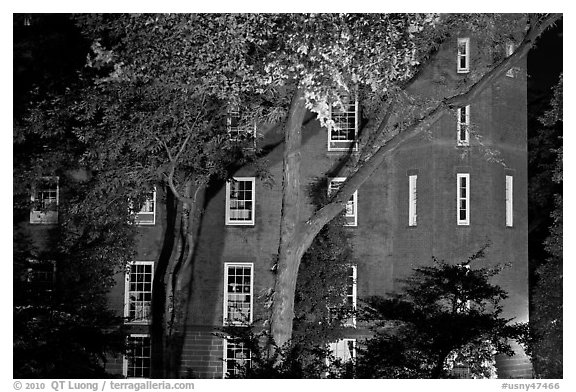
(446, 315)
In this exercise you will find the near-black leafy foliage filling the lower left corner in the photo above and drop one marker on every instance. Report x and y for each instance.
(63, 327)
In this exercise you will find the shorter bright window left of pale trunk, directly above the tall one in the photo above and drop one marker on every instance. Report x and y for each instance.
(240, 201)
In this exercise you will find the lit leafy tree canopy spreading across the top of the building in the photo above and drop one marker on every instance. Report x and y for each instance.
(150, 107)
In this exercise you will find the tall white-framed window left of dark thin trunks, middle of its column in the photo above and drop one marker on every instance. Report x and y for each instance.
(138, 292)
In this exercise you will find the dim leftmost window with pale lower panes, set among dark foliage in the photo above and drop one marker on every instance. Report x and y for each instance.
(45, 200)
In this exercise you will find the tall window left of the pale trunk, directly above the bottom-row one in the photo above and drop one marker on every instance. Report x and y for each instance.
(238, 285)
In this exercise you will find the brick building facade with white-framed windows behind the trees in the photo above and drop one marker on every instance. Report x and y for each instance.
(441, 196)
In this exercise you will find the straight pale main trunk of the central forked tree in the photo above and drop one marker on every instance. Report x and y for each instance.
(288, 257)
